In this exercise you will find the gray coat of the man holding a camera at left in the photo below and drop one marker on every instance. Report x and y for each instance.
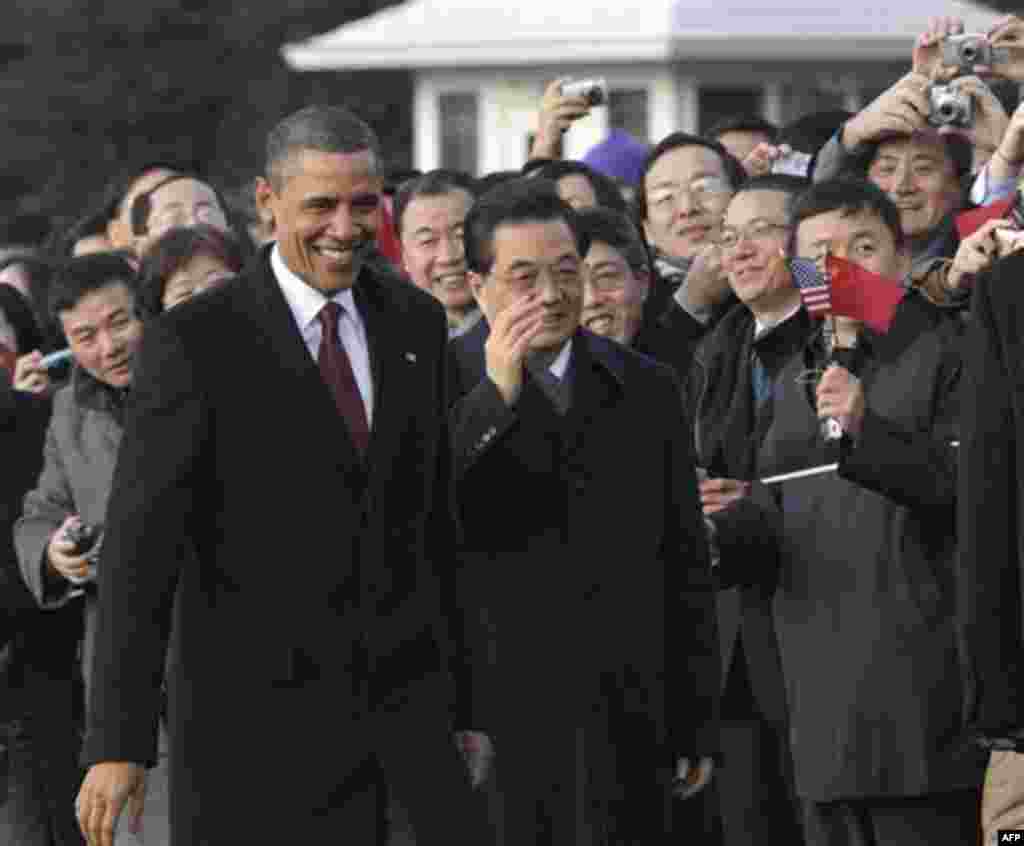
(79, 457)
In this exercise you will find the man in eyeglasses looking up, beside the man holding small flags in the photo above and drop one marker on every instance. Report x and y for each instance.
(731, 391)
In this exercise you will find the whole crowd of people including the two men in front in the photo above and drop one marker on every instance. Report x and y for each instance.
(541, 507)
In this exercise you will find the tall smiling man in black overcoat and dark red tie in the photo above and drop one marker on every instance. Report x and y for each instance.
(293, 426)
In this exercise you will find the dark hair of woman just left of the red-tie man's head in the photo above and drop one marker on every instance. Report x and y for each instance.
(174, 251)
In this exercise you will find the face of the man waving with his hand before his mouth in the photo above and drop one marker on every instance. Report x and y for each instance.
(535, 257)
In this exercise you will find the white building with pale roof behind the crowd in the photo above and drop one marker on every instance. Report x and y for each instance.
(480, 68)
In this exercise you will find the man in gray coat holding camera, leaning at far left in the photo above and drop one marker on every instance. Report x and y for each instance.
(59, 534)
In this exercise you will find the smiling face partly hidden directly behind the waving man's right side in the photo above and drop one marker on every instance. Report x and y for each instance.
(614, 294)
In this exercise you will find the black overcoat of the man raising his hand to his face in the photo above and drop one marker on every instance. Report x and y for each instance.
(587, 568)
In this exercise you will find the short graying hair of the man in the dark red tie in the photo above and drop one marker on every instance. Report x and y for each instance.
(323, 129)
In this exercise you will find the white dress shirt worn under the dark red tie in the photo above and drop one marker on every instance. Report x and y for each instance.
(307, 304)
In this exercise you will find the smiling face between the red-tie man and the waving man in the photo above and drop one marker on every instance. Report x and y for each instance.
(433, 249)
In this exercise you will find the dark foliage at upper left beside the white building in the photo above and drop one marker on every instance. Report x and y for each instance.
(90, 87)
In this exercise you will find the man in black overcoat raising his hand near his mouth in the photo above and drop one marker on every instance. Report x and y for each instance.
(595, 668)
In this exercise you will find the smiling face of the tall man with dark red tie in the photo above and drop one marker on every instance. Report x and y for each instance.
(325, 215)
